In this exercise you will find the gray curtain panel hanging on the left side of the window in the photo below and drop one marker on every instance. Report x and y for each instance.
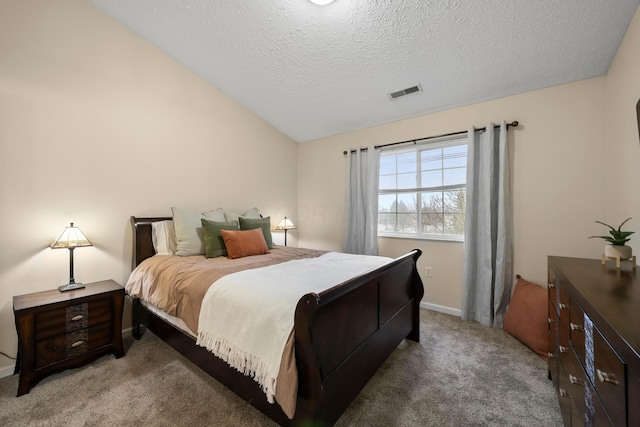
(361, 215)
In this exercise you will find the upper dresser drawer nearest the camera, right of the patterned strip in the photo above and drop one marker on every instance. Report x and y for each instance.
(609, 379)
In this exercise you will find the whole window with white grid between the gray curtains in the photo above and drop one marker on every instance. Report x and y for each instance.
(422, 190)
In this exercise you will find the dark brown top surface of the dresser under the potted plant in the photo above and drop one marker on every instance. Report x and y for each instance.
(609, 296)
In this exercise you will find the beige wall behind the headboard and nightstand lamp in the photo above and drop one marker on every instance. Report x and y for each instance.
(97, 125)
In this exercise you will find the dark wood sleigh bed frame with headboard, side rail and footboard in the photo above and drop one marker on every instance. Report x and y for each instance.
(342, 336)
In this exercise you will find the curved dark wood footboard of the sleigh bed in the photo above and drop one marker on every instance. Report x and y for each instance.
(343, 335)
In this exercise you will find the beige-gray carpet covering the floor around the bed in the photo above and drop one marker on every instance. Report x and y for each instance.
(460, 374)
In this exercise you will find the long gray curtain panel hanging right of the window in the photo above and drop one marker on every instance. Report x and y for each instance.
(488, 255)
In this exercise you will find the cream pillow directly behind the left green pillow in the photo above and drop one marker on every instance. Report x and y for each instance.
(188, 229)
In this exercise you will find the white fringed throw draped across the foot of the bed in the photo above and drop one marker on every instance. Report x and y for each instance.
(246, 317)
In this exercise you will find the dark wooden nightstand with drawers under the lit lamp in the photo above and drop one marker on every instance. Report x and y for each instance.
(61, 330)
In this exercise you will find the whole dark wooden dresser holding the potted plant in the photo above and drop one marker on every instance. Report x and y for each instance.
(594, 341)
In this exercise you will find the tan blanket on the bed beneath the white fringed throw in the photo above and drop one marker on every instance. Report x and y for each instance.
(177, 285)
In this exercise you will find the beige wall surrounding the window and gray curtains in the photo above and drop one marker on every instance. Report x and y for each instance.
(558, 189)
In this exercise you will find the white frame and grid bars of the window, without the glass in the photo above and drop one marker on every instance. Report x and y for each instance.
(450, 141)
